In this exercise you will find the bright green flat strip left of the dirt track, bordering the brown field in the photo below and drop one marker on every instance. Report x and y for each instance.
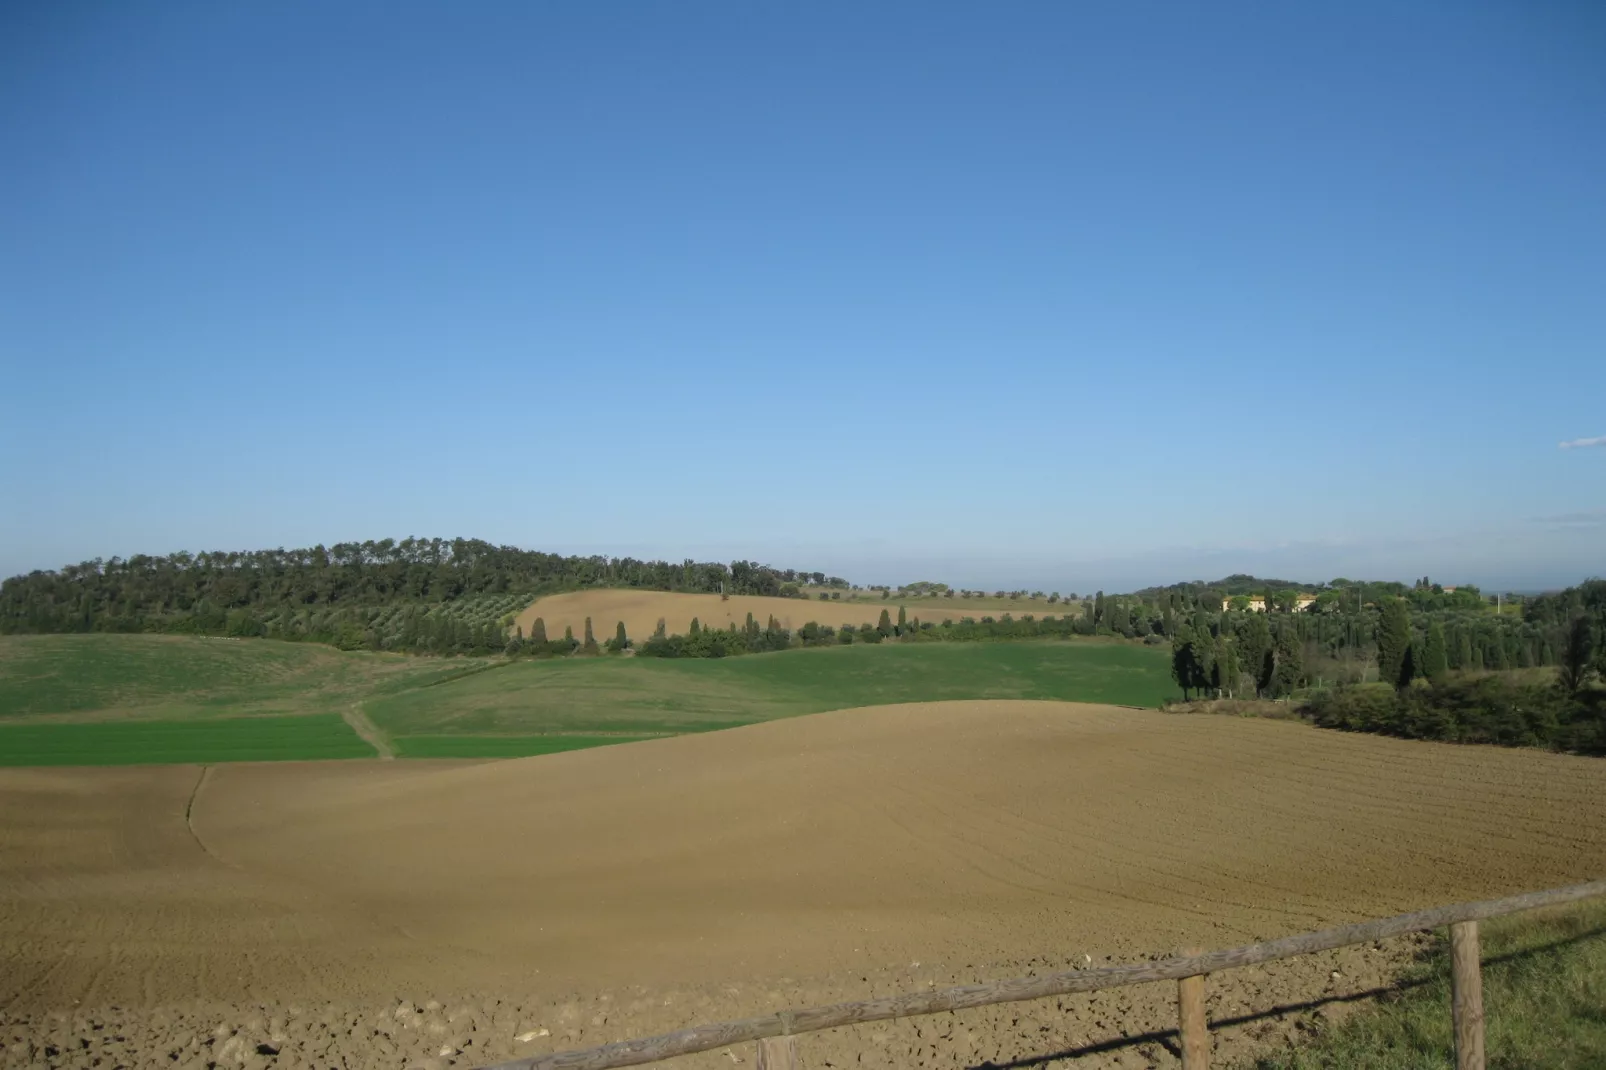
(152, 743)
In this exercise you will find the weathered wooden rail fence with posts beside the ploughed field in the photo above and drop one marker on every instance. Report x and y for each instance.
(777, 1034)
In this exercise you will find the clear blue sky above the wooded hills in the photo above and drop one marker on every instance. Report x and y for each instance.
(1059, 295)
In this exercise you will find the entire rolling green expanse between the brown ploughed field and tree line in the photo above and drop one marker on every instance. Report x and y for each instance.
(96, 700)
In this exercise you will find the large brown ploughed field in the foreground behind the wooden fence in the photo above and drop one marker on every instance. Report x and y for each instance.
(614, 892)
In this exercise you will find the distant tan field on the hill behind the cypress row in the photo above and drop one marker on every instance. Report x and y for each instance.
(642, 611)
